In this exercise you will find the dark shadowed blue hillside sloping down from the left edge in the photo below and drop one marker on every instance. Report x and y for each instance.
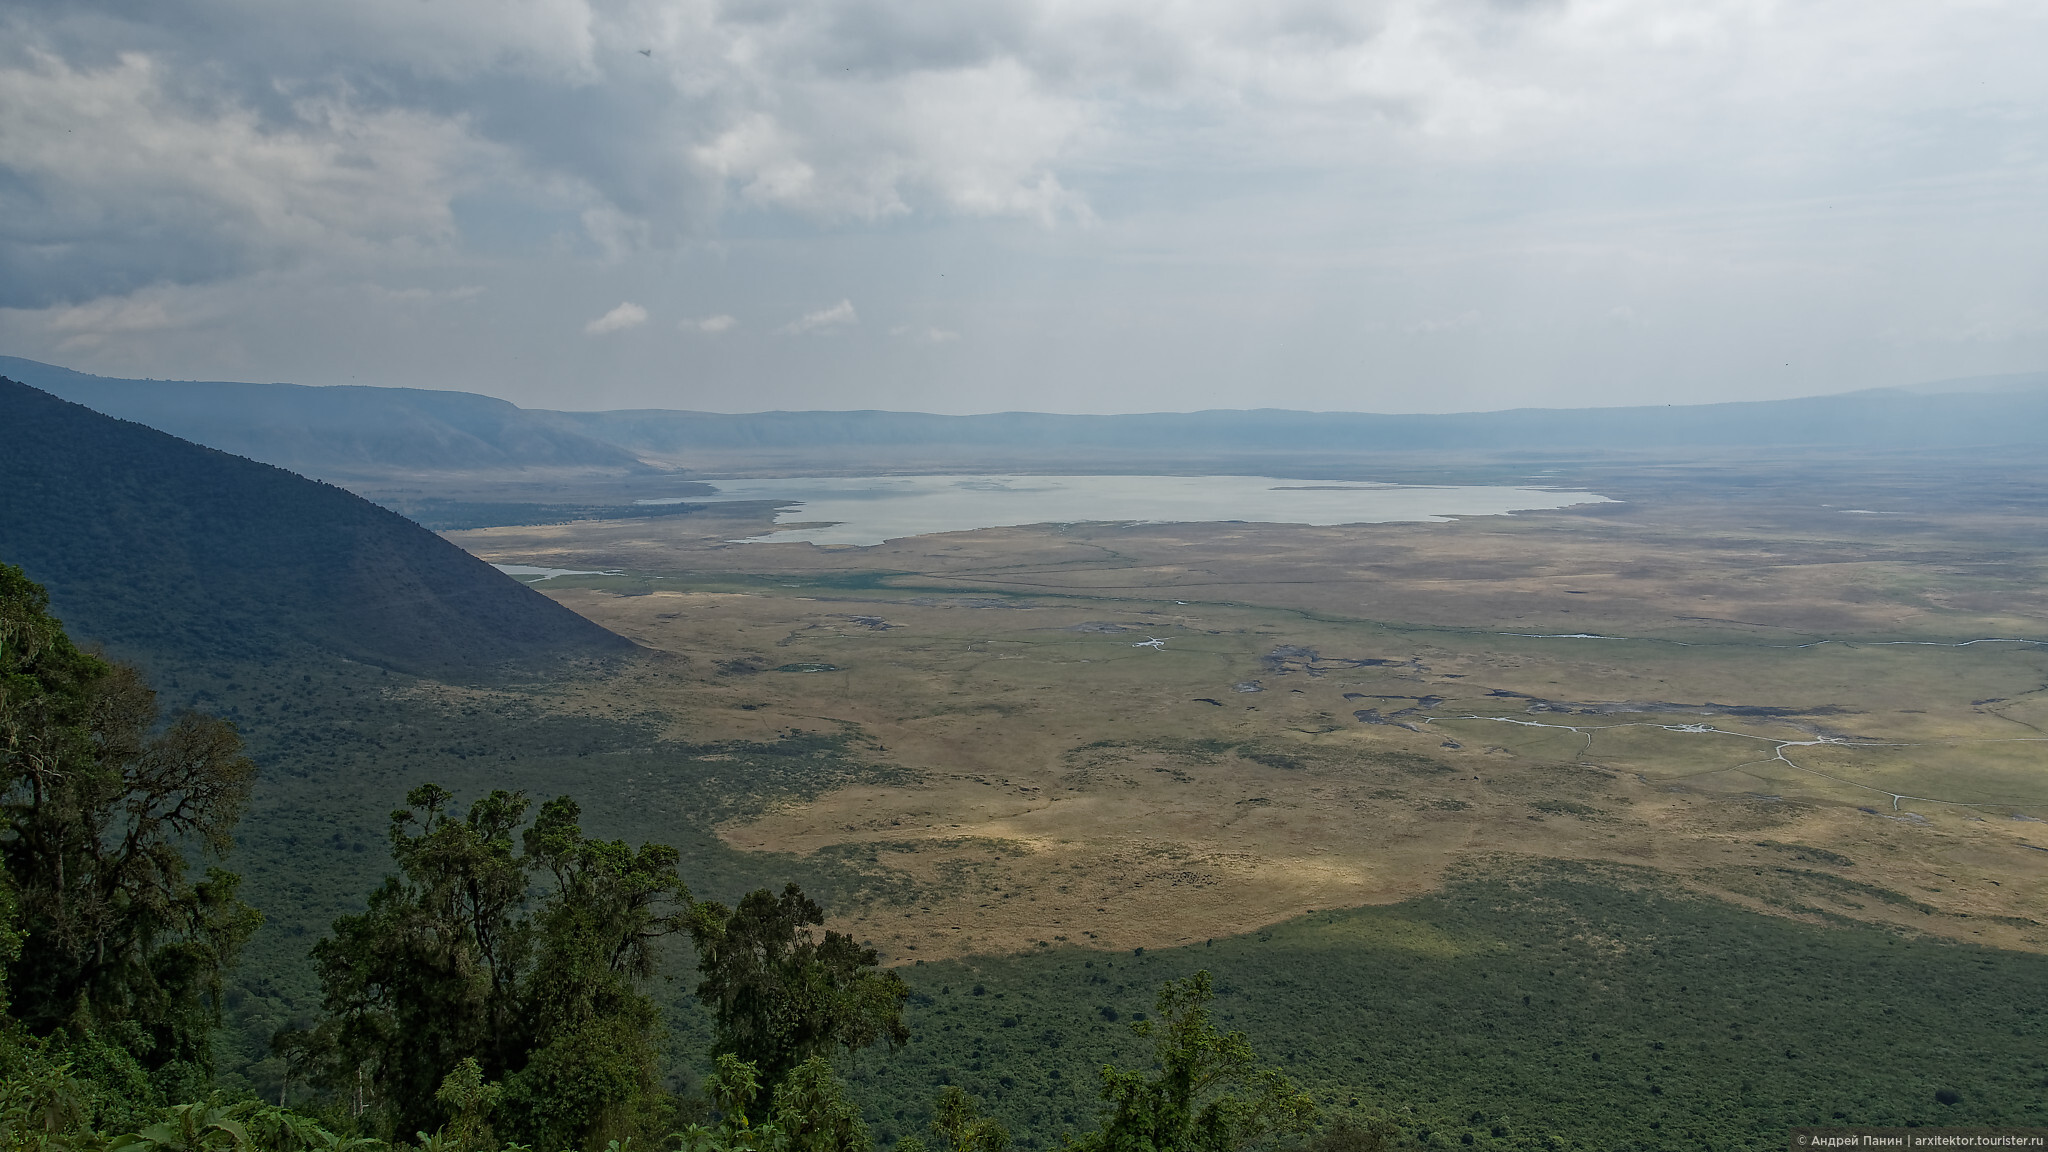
(159, 546)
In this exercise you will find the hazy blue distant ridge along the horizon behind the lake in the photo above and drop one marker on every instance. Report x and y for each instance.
(366, 431)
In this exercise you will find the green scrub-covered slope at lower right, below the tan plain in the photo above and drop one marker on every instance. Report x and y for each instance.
(1547, 1005)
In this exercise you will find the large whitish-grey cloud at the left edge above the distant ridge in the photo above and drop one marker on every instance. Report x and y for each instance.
(122, 179)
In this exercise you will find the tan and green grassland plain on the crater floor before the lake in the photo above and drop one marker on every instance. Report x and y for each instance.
(1338, 716)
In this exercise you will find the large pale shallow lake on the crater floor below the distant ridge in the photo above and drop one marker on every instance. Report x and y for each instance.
(873, 509)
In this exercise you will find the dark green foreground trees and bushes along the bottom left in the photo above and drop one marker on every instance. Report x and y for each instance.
(493, 993)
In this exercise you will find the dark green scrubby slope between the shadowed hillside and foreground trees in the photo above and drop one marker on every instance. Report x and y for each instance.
(314, 846)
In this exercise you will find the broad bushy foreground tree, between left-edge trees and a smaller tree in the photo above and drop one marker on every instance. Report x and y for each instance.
(515, 952)
